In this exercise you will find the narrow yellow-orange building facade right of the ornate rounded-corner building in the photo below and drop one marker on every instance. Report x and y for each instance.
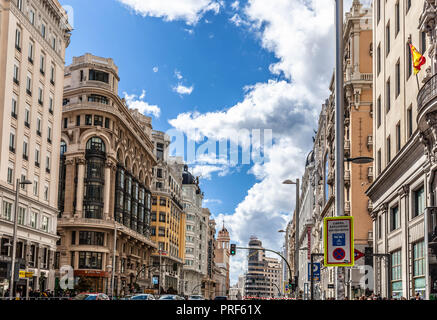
(167, 218)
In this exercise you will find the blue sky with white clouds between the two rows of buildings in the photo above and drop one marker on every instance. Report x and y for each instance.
(238, 85)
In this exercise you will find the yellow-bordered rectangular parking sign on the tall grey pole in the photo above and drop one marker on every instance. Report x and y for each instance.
(338, 241)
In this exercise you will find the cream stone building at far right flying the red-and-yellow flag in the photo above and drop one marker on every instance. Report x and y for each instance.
(404, 146)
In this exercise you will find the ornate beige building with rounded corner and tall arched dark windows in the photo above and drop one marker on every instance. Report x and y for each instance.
(106, 162)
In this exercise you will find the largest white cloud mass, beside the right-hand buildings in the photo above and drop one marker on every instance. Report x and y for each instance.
(300, 33)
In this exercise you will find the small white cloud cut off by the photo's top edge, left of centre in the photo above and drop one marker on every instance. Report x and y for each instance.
(190, 11)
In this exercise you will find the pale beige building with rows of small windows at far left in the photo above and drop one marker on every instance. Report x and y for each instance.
(33, 39)
